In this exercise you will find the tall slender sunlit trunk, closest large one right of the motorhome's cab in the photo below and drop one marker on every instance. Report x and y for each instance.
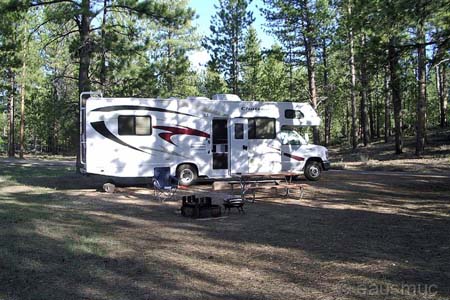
(354, 138)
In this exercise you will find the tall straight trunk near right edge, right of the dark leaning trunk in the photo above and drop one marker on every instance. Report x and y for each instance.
(421, 97)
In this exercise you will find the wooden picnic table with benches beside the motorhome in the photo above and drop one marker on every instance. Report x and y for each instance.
(252, 182)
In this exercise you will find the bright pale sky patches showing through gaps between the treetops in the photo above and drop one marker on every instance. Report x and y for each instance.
(205, 11)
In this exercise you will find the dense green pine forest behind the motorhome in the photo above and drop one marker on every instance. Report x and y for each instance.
(373, 69)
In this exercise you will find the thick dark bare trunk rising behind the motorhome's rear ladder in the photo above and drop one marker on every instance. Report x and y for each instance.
(85, 55)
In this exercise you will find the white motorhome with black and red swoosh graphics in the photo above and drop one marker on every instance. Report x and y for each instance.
(197, 137)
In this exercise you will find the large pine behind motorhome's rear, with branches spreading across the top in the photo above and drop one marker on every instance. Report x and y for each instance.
(82, 14)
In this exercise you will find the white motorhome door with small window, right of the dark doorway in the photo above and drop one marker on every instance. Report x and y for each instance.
(238, 132)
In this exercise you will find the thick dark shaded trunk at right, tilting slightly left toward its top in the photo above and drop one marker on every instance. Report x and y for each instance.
(396, 95)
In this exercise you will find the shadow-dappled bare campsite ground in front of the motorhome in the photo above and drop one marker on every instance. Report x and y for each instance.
(355, 235)
